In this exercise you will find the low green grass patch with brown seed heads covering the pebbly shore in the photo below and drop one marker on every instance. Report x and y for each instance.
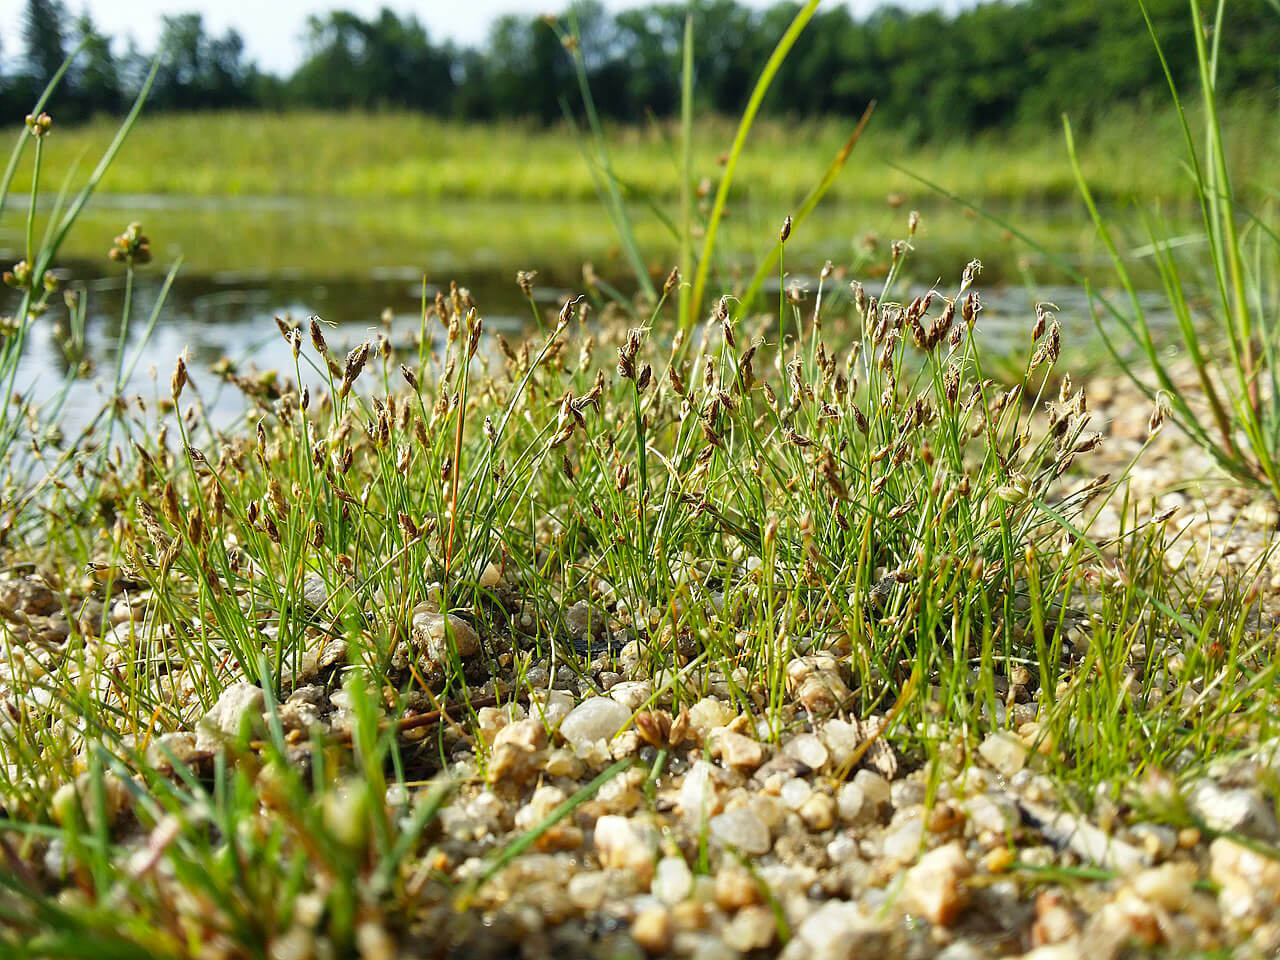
(737, 513)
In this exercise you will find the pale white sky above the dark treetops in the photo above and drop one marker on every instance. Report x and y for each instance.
(272, 29)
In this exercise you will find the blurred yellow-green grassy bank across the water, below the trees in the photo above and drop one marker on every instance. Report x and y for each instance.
(397, 156)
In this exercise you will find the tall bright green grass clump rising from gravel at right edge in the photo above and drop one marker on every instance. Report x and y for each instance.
(1235, 415)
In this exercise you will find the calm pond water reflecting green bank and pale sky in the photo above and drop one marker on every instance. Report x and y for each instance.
(246, 262)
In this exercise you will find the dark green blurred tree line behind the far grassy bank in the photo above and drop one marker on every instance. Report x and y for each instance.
(995, 66)
